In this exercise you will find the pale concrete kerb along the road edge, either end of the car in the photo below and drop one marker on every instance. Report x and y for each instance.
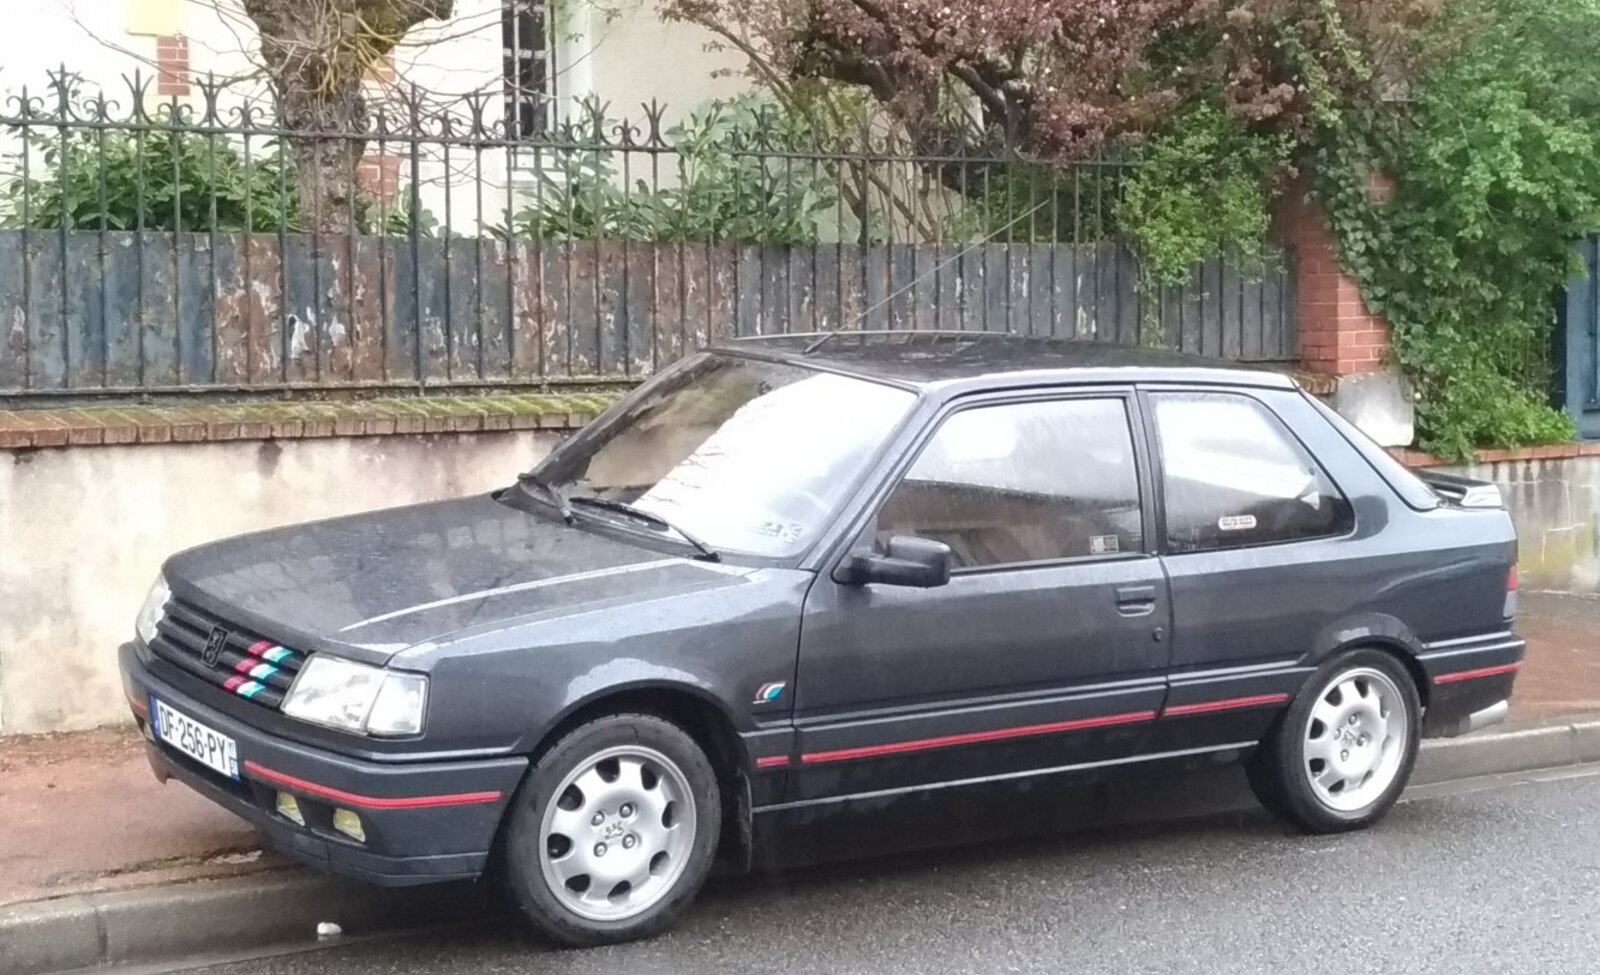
(167, 923)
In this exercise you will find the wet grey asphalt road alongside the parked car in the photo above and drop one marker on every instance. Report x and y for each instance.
(1497, 877)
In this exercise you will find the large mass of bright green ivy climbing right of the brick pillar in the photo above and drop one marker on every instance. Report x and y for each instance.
(1498, 172)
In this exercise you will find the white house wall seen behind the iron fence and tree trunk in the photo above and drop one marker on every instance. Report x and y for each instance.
(625, 58)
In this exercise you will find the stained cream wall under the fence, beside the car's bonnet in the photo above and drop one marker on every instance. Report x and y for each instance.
(84, 531)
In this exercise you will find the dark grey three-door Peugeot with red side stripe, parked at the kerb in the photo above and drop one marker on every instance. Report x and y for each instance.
(833, 572)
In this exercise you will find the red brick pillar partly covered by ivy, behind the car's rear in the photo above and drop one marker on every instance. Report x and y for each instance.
(1338, 335)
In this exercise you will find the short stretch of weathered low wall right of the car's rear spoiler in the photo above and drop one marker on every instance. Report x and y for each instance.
(1556, 505)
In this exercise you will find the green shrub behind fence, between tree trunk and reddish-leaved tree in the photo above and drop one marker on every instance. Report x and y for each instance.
(735, 183)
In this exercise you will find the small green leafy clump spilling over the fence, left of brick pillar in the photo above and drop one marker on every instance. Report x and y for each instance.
(1202, 188)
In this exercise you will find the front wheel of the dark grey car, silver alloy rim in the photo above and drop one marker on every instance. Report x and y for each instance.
(614, 832)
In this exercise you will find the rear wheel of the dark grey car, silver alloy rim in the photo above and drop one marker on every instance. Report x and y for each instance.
(1343, 753)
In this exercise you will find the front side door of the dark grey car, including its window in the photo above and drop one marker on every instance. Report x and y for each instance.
(1047, 646)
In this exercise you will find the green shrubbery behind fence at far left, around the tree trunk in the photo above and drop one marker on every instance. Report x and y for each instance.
(167, 179)
